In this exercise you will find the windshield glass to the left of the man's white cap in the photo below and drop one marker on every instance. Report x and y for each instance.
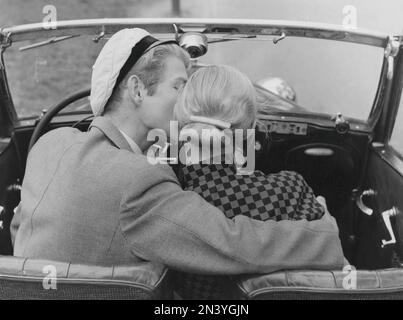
(41, 77)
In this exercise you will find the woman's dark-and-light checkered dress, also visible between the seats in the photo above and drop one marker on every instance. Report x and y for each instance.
(281, 196)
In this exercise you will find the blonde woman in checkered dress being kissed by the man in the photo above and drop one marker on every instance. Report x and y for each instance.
(217, 101)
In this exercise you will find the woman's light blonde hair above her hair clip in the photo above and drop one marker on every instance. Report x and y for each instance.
(219, 92)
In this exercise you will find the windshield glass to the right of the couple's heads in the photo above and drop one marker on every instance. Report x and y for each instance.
(323, 76)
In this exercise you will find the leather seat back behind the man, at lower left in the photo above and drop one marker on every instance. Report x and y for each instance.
(22, 278)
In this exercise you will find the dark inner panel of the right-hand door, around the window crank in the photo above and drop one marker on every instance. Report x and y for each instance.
(385, 178)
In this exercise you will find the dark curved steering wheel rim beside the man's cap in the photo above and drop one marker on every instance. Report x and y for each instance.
(45, 120)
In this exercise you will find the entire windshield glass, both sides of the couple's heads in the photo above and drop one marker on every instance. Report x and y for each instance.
(324, 76)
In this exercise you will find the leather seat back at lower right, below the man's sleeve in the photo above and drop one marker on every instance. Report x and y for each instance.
(379, 284)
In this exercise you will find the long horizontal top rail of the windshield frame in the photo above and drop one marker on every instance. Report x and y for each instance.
(242, 27)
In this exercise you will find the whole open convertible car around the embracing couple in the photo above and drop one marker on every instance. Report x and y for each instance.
(330, 108)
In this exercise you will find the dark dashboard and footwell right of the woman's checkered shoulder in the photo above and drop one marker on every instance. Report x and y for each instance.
(334, 174)
